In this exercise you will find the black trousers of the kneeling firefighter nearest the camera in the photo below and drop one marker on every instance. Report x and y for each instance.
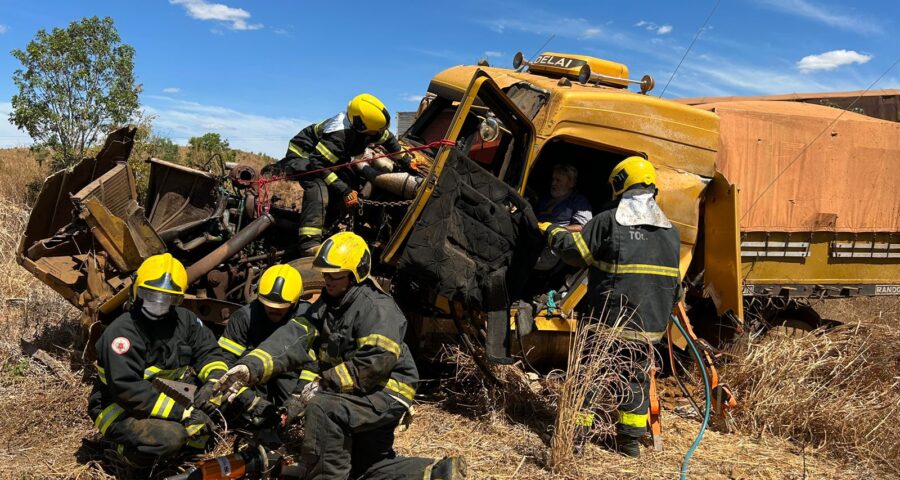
(351, 436)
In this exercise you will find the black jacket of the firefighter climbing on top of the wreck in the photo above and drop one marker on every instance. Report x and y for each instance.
(331, 142)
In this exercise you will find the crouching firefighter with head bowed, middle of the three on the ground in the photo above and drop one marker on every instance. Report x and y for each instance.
(277, 302)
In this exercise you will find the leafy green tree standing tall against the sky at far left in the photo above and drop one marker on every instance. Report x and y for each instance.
(74, 84)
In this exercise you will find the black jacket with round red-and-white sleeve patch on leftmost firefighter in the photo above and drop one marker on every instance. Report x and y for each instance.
(134, 350)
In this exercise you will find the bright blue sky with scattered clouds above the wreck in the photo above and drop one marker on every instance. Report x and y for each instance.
(257, 72)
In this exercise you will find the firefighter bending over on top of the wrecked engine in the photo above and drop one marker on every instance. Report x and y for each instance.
(332, 142)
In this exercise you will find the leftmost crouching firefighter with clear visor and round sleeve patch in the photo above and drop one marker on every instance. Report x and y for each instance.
(153, 339)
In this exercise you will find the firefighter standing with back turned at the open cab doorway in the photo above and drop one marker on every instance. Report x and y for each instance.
(632, 251)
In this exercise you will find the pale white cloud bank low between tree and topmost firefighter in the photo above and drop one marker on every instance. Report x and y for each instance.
(180, 119)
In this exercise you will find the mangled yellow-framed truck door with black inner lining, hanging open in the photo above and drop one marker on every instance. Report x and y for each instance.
(470, 237)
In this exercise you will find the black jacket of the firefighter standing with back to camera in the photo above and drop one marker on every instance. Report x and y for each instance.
(633, 272)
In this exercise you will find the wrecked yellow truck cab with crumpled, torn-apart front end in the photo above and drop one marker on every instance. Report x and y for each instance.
(455, 244)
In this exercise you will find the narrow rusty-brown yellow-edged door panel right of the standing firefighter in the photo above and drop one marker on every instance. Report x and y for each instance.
(722, 251)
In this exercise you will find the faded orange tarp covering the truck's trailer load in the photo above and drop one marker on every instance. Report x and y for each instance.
(797, 174)
